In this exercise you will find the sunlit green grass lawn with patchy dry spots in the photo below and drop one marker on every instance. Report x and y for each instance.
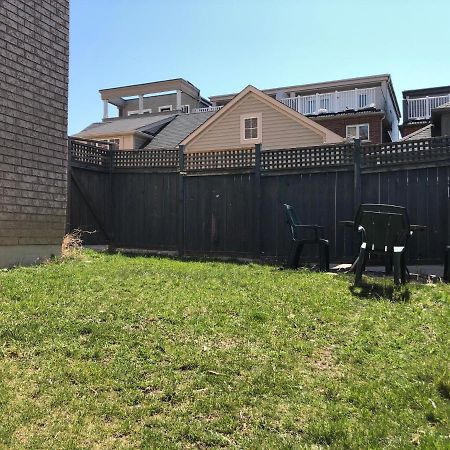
(119, 352)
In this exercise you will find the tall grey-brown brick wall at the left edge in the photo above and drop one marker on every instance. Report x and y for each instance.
(33, 121)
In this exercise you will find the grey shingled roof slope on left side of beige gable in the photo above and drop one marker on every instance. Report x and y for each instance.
(178, 129)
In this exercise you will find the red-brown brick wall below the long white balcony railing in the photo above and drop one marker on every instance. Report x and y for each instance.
(338, 124)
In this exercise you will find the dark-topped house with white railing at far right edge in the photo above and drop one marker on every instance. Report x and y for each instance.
(418, 107)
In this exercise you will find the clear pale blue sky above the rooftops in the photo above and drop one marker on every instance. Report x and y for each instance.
(222, 46)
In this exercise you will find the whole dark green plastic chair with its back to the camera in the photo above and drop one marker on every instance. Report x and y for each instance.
(384, 230)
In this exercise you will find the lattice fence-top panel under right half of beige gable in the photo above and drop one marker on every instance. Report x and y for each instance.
(312, 157)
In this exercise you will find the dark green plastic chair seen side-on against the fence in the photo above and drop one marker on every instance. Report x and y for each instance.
(299, 234)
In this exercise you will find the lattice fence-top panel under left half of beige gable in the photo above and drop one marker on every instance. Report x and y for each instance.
(220, 160)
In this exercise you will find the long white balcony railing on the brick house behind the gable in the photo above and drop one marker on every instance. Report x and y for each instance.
(336, 101)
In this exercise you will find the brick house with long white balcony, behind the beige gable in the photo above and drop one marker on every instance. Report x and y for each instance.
(364, 108)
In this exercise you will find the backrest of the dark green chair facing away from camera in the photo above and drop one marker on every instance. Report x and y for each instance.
(384, 230)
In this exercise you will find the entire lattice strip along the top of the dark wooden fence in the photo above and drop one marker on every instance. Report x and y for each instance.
(326, 157)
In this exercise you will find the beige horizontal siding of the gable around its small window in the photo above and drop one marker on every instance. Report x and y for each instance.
(278, 129)
